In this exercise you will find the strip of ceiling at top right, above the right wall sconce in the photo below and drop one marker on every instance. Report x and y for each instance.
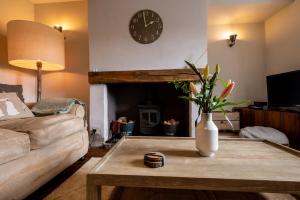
(243, 11)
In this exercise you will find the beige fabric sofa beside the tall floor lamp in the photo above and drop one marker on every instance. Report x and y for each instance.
(34, 150)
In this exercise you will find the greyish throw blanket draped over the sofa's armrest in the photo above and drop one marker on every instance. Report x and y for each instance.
(51, 106)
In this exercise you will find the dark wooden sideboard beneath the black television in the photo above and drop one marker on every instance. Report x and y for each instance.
(286, 121)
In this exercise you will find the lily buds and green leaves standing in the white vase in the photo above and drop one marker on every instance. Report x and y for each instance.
(204, 97)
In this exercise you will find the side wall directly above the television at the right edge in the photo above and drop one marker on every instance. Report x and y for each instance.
(283, 40)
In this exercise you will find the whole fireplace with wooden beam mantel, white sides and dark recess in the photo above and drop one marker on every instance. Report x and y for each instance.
(144, 96)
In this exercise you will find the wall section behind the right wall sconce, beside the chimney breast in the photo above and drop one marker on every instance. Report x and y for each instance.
(244, 63)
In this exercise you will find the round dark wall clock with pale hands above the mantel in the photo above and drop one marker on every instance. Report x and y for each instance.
(145, 26)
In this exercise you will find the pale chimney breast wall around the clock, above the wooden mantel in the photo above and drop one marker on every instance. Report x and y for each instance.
(112, 48)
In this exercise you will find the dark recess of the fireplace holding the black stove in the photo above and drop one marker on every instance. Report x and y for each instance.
(148, 105)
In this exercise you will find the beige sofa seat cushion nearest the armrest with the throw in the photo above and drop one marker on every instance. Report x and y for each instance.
(43, 131)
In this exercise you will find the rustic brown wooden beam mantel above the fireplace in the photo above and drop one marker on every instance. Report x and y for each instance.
(142, 76)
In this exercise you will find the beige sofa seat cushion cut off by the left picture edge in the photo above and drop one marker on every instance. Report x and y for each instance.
(13, 145)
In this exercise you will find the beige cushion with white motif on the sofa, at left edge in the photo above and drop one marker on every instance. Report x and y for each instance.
(11, 107)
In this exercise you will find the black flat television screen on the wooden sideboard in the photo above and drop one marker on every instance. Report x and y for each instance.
(284, 89)
